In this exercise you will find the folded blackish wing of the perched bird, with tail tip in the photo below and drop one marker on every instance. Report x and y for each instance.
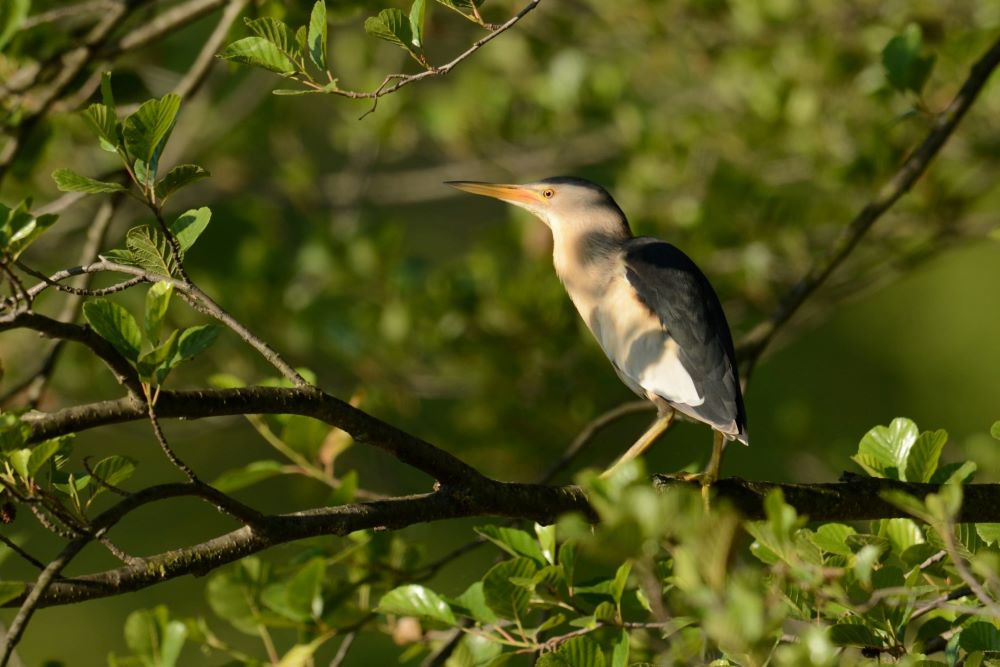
(678, 293)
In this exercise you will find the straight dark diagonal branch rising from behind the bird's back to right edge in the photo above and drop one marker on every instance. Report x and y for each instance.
(754, 344)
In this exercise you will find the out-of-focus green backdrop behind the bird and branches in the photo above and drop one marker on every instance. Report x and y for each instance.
(747, 132)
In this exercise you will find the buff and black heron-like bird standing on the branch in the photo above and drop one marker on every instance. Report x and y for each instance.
(651, 309)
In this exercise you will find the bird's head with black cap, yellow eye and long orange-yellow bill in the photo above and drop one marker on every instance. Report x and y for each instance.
(563, 203)
